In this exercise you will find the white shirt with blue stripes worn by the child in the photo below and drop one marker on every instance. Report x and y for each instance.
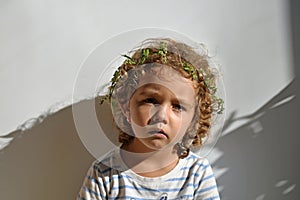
(192, 178)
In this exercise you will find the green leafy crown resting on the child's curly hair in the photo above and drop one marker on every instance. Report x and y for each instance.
(161, 54)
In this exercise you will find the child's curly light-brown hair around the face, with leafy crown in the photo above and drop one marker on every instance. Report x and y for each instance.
(189, 64)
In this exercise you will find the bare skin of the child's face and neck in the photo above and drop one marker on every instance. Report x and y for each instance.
(160, 112)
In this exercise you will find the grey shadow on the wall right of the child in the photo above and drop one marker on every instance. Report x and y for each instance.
(262, 155)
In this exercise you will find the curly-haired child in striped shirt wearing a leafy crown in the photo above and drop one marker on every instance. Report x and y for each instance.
(163, 100)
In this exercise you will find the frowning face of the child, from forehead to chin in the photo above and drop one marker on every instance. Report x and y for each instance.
(161, 109)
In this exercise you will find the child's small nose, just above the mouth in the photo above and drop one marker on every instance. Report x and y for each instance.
(158, 114)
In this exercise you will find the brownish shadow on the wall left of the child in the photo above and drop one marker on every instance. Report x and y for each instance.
(49, 160)
